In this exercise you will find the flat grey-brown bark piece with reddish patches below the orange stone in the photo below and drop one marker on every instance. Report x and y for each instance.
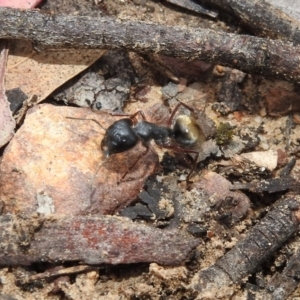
(90, 239)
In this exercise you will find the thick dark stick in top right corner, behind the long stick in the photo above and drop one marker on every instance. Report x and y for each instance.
(262, 18)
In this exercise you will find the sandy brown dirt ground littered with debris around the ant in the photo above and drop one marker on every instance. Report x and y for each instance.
(258, 120)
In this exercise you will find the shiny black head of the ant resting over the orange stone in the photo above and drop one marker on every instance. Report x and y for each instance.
(119, 137)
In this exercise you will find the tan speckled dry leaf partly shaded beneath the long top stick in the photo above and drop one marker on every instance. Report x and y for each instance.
(40, 73)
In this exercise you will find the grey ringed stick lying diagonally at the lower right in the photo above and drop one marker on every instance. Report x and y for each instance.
(261, 242)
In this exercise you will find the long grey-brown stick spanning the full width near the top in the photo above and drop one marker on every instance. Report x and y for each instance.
(247, 53)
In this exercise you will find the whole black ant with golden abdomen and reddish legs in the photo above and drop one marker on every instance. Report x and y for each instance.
(125, 133)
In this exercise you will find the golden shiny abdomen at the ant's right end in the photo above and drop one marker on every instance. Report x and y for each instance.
(187, 132)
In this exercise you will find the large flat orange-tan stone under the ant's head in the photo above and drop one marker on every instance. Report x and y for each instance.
(55, 165)
